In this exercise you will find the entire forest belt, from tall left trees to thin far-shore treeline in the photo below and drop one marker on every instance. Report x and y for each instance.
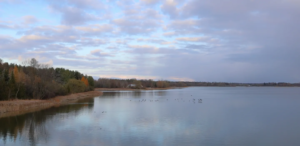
(33, 80)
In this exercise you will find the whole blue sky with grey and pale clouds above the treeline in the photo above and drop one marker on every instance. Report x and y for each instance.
(184, 40)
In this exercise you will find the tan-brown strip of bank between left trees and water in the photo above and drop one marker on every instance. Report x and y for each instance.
(17, 107)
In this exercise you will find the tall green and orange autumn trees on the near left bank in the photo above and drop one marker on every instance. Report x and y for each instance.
(33, 80)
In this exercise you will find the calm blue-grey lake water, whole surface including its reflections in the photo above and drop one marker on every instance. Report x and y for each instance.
(227, 116)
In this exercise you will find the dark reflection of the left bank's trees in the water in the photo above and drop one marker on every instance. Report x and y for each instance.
(34, 124)
